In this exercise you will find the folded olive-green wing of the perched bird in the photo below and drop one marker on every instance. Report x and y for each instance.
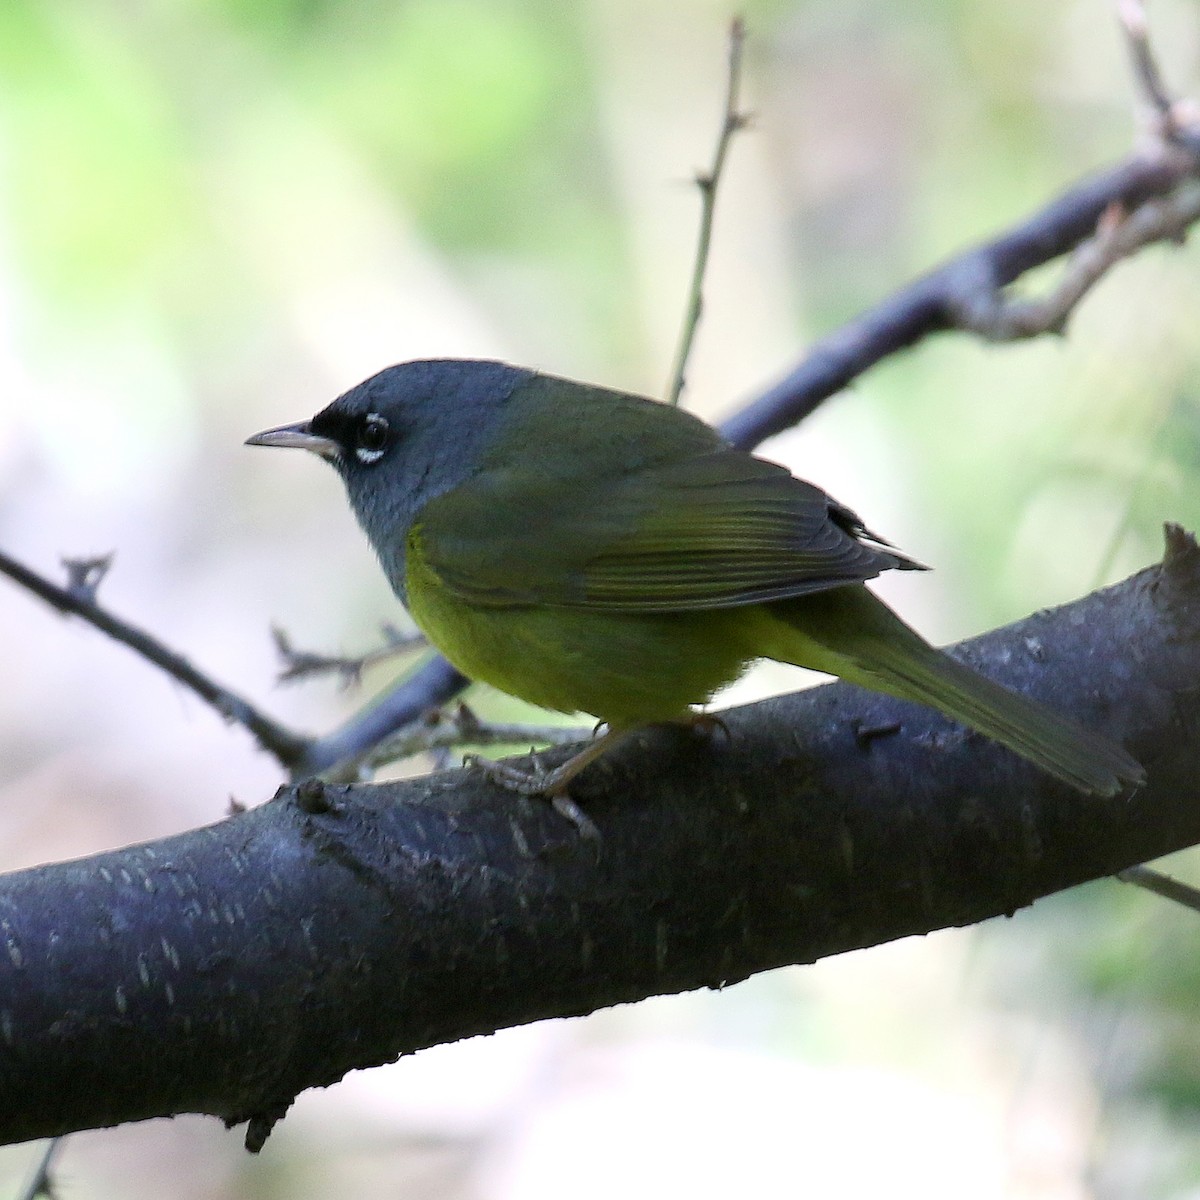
(710, 531)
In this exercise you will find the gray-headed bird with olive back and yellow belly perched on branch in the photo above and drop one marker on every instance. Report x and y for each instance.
(592, 551)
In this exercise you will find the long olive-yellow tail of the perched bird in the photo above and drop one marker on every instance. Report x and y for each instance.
(853, 634)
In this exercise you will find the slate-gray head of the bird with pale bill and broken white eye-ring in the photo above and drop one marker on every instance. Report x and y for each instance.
(403, 437)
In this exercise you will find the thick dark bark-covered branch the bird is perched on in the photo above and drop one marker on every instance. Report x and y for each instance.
(224, 971)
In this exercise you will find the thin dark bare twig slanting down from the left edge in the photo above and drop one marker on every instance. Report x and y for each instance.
(286, 746)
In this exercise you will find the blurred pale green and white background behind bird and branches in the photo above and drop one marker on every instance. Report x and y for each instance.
(218, 214)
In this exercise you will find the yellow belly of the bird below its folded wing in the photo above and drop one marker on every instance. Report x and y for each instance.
(625, 669)
